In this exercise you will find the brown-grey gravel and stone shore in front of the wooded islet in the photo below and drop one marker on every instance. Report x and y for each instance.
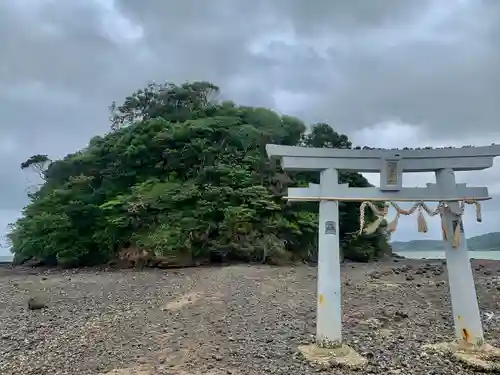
(228, 320)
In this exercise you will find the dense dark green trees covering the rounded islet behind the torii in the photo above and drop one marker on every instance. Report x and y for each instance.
(183, 177)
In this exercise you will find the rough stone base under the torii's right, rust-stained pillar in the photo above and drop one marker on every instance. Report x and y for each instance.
(484, 358)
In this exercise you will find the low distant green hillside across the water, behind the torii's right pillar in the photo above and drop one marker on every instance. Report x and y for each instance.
(485, 242)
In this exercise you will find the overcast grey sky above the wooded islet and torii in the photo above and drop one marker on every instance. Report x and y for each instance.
(388, 73)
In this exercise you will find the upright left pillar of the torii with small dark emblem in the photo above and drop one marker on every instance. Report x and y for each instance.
(329, 311)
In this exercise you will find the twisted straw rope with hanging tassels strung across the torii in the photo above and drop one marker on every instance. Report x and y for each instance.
(421, 222)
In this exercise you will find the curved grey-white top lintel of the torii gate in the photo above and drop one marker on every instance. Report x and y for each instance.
(422, 160)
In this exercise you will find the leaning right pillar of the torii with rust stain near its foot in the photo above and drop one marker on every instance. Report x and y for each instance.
(468, 325)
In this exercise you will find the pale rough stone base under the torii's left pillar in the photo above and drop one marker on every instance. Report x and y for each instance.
(342, 356)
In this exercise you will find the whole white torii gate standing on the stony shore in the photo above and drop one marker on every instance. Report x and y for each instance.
(391, 164)
